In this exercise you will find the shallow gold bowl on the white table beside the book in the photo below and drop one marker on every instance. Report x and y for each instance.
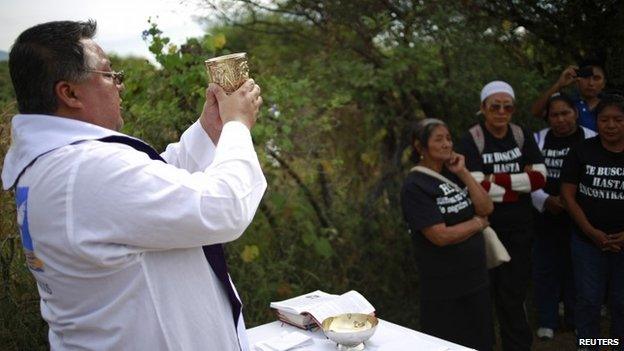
(350, 330)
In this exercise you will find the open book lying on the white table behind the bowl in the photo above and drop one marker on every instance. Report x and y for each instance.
(311, 309)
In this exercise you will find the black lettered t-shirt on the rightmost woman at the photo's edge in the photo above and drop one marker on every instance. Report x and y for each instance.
(599, 176)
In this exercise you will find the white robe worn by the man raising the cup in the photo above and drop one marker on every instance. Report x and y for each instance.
(114, 238)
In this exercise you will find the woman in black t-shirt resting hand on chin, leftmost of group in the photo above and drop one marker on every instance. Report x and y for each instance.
(446, 223)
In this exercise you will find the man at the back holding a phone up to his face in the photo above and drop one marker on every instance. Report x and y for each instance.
(590, 80)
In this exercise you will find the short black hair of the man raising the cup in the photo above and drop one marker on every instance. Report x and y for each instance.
(42, 56)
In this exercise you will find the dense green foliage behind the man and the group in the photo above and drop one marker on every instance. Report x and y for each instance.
(342, 83)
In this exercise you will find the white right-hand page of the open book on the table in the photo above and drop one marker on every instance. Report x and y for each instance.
(351, 302)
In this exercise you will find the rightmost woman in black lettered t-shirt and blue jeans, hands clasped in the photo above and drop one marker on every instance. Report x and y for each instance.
(592, 190)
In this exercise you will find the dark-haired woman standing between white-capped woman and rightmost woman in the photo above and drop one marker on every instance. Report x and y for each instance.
(552, 265)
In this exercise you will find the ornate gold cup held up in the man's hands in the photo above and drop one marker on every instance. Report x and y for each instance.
(229, 71)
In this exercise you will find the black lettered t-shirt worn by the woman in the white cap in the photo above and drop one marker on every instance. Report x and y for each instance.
(503, 156)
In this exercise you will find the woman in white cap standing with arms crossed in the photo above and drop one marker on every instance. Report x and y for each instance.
(506, 160)
